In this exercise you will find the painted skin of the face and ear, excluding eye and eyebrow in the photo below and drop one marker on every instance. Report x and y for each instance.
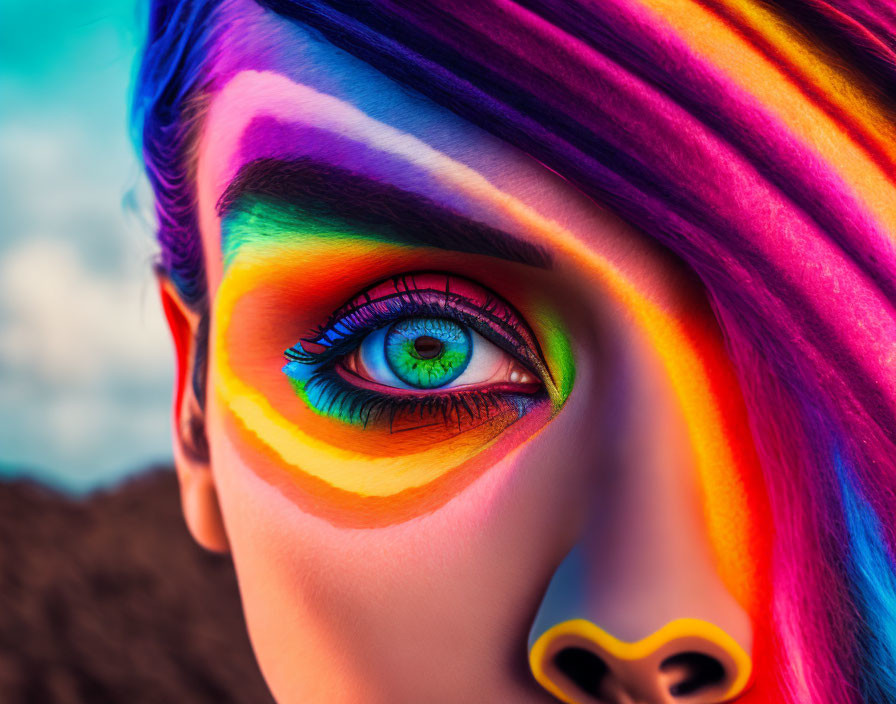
(419, 579)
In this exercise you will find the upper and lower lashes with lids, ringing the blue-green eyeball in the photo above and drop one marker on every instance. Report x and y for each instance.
(331, 394)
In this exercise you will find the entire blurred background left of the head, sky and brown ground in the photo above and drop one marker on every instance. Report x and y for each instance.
(103, 596)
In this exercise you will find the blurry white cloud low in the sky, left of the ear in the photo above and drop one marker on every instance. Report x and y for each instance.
(70, 326)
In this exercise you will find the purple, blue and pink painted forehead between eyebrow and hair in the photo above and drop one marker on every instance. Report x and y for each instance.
(282, 92)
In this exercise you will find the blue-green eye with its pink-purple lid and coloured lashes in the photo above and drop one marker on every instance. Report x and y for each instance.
(417, 348)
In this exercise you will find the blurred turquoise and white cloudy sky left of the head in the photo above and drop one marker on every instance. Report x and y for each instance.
(85, 360)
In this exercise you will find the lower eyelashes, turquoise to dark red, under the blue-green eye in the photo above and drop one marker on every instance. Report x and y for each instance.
(329, 394)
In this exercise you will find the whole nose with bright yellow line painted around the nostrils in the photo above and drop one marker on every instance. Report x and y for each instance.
(637, 611)
